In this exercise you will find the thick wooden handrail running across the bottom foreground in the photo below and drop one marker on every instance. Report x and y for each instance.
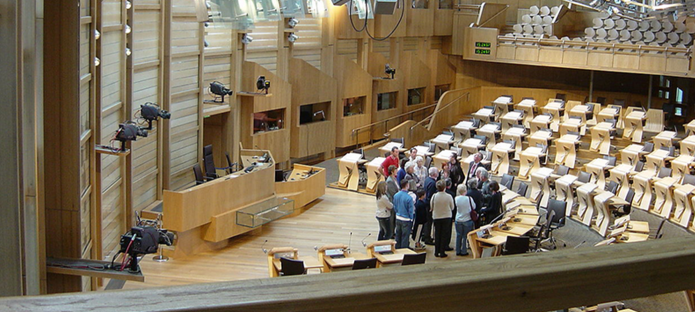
(530, 282)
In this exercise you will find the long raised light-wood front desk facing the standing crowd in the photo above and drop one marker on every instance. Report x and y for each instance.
(205, 216)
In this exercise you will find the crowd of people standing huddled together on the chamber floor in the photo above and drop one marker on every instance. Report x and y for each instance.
(415, 199)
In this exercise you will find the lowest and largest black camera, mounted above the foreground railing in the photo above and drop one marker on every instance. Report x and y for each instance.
(142, 240)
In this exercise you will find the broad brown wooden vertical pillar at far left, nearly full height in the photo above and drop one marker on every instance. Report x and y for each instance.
(62, 139)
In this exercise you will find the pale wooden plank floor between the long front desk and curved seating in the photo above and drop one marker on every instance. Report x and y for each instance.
(328, 220)
